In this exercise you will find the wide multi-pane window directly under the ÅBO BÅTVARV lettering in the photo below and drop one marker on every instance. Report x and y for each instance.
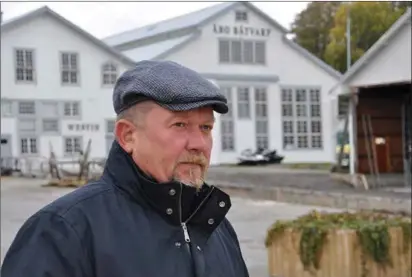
(242, 51)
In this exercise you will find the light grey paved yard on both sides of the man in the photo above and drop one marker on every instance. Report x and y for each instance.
(22, 197)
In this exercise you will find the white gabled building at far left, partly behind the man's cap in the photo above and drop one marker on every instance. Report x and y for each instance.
(56, 87)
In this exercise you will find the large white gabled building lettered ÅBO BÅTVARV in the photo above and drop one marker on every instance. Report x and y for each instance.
(277, 91)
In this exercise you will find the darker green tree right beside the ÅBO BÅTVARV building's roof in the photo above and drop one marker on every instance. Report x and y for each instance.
(311, 26)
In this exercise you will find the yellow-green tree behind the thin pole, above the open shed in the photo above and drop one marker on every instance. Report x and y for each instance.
(369, 21)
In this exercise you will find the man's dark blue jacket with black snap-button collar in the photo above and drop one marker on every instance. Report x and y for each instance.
(127, 225)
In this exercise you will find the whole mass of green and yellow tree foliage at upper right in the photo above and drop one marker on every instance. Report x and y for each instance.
(321, 28)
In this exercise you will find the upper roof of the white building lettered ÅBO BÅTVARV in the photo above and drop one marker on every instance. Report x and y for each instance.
(191, 20)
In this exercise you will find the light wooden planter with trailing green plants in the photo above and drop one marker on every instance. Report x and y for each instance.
(356, 243)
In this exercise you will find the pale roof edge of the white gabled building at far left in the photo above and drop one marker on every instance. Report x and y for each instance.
(17, 21)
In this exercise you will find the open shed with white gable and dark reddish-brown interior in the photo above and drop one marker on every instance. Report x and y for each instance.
(380, 82)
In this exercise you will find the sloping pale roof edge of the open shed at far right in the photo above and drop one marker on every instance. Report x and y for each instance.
(385, 39)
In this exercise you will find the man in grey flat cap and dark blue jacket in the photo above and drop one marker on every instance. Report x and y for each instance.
(151, 214)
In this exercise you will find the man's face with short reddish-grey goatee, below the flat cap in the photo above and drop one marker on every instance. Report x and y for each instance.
(174, 145)
